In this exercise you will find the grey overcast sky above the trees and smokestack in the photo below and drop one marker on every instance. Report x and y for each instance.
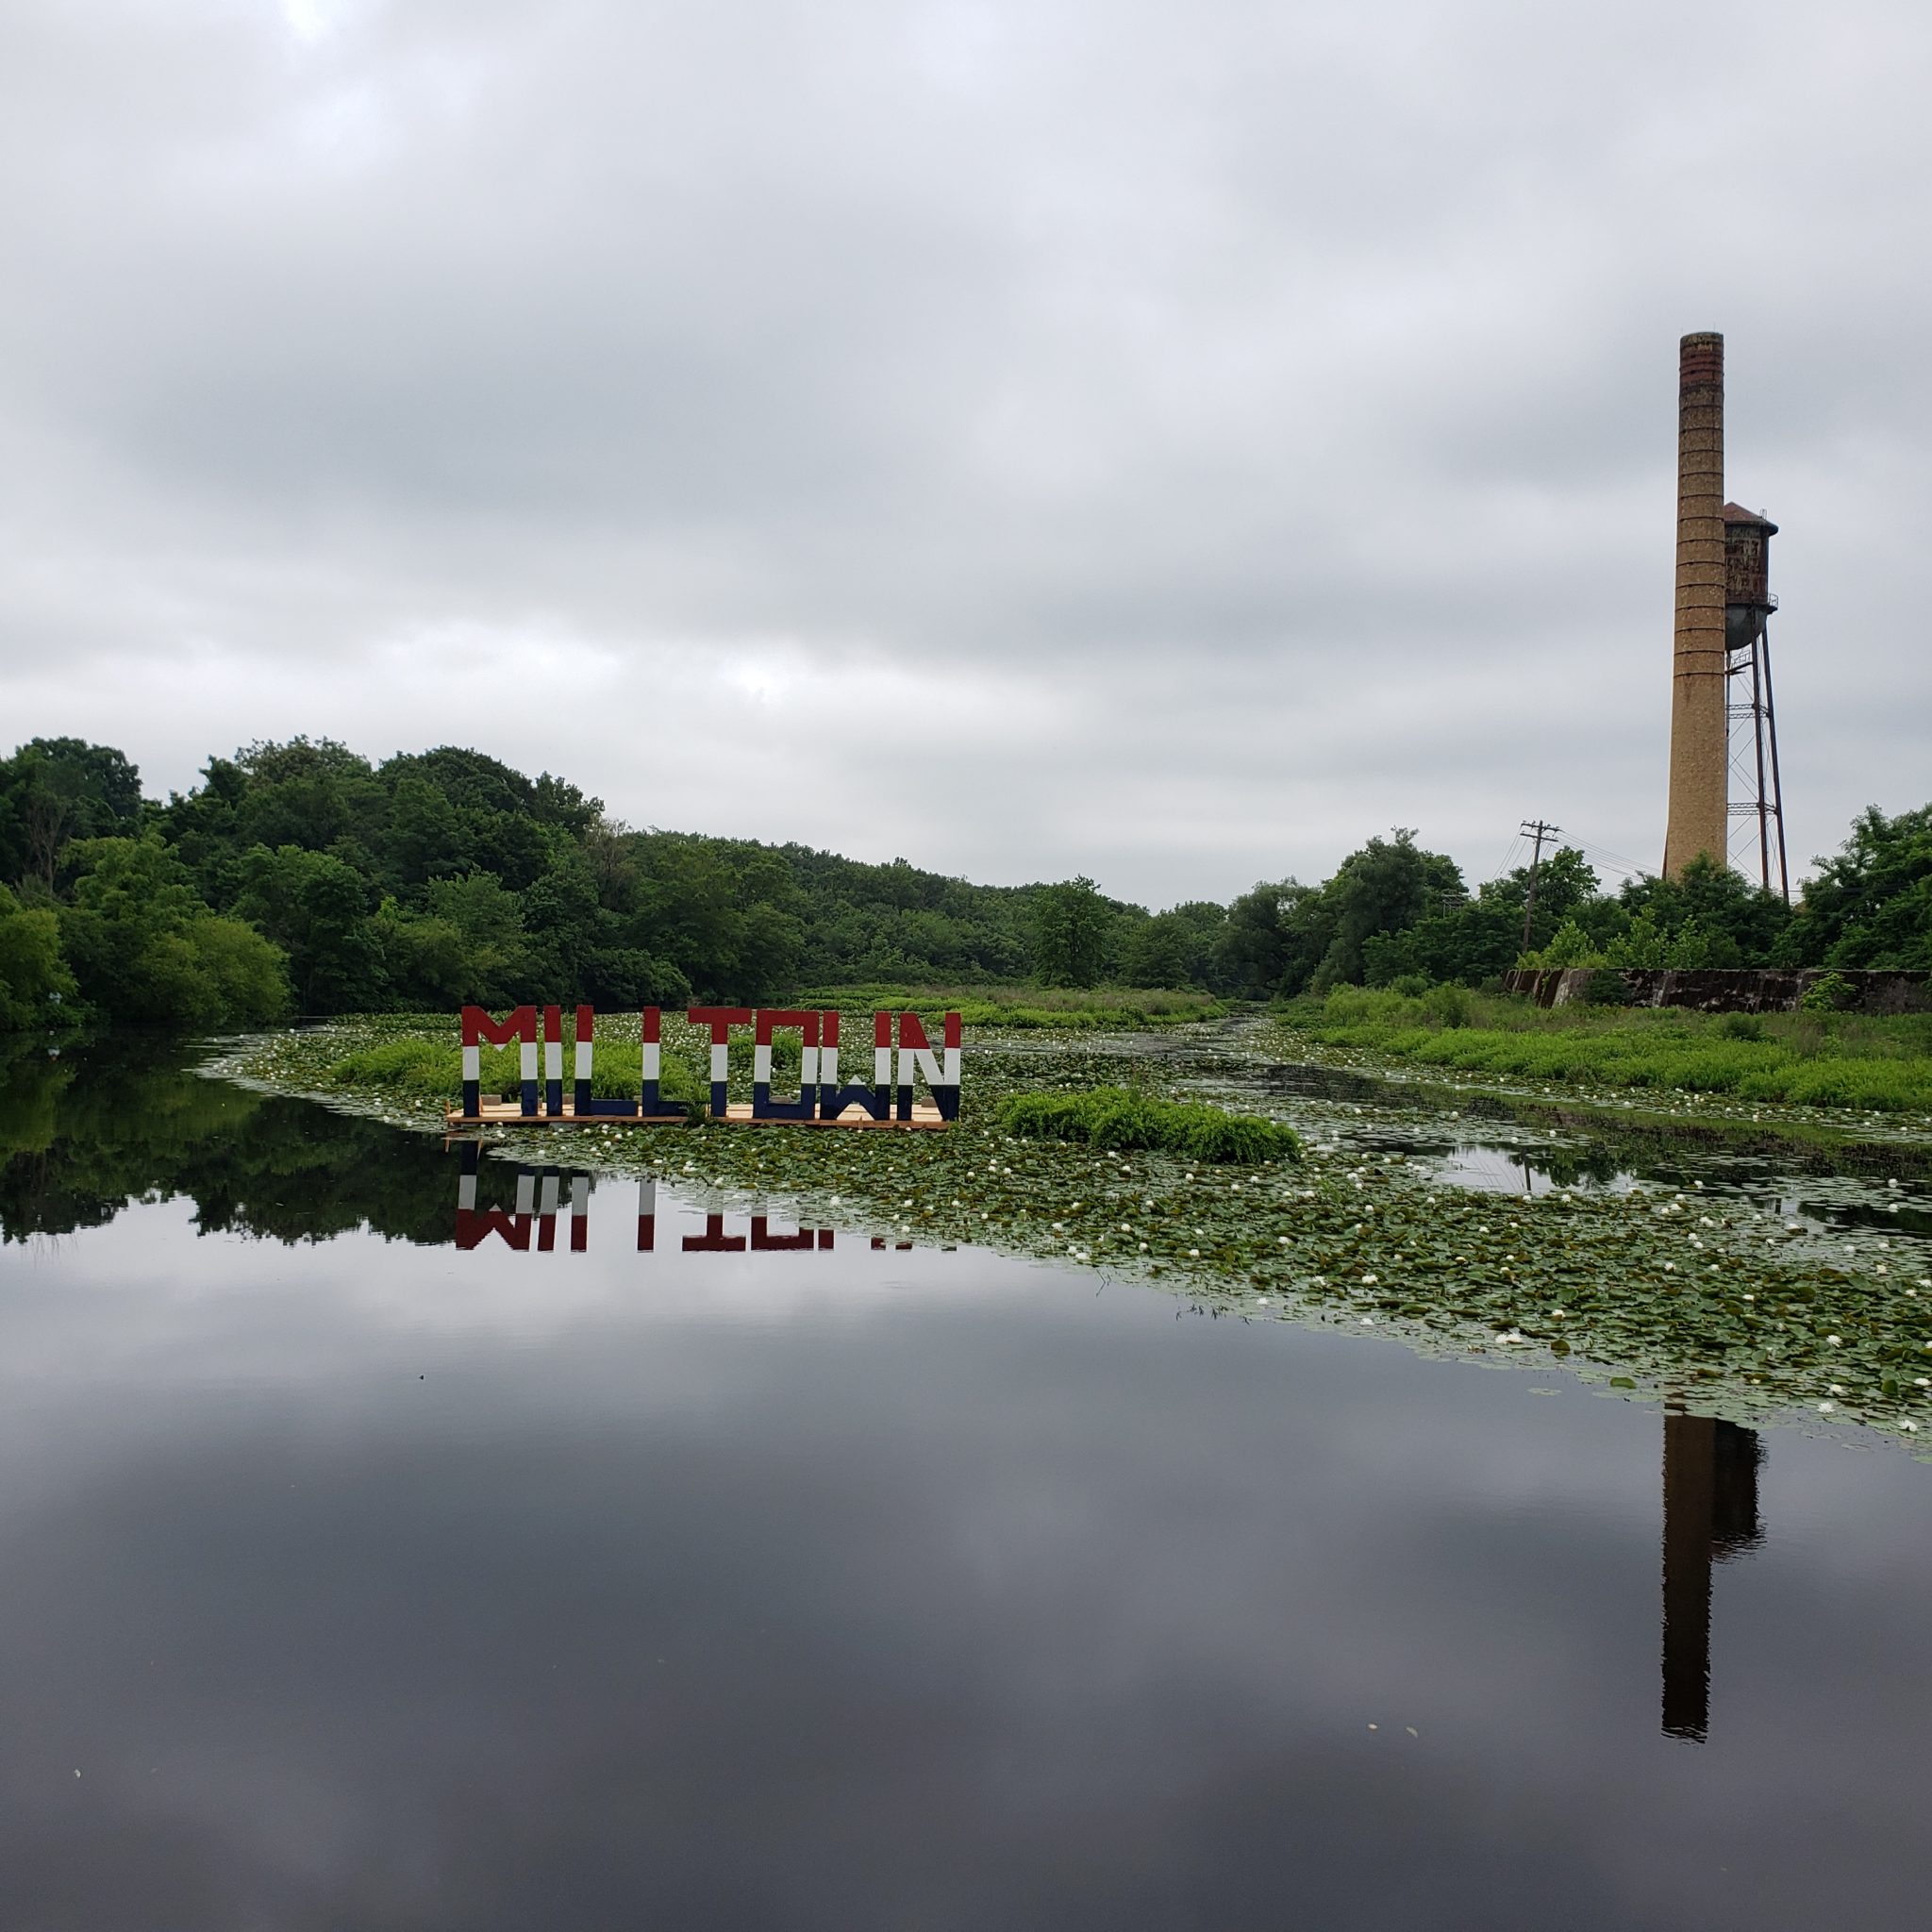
(1164, 441)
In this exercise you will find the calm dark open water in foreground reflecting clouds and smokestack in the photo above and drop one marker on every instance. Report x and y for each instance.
(355, 1577)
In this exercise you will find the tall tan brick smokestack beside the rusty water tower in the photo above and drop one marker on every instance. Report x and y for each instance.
(1699, 818)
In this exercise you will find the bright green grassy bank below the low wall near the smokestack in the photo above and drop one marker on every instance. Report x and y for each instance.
(1804, 1060)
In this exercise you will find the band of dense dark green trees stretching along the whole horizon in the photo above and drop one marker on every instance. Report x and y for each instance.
(302, 878)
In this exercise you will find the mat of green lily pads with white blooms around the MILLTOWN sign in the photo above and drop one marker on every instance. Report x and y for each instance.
(1728, 1305)
